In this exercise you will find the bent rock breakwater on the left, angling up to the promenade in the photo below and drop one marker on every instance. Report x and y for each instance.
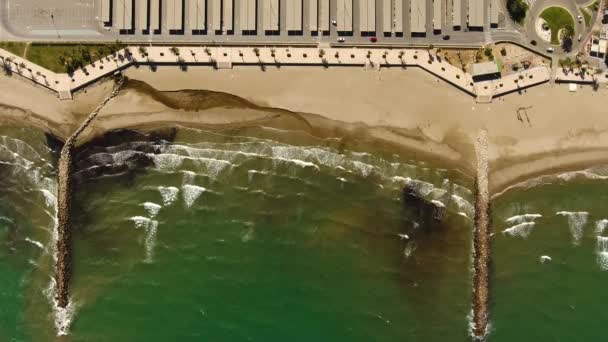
(64, 196)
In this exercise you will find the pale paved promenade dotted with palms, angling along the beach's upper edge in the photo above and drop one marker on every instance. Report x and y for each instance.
(227, 57)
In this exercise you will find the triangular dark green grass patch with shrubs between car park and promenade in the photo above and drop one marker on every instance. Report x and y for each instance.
(65, 57)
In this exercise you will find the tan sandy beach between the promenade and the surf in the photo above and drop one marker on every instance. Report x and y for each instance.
(409, 108)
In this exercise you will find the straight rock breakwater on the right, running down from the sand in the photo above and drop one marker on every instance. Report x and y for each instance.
(481, 241)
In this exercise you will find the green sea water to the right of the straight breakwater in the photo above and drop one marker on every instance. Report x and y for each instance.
(551, 269)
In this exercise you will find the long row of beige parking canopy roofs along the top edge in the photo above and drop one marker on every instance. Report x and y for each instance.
(199, 16)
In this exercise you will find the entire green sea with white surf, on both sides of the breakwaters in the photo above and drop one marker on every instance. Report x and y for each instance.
(266, 235)
